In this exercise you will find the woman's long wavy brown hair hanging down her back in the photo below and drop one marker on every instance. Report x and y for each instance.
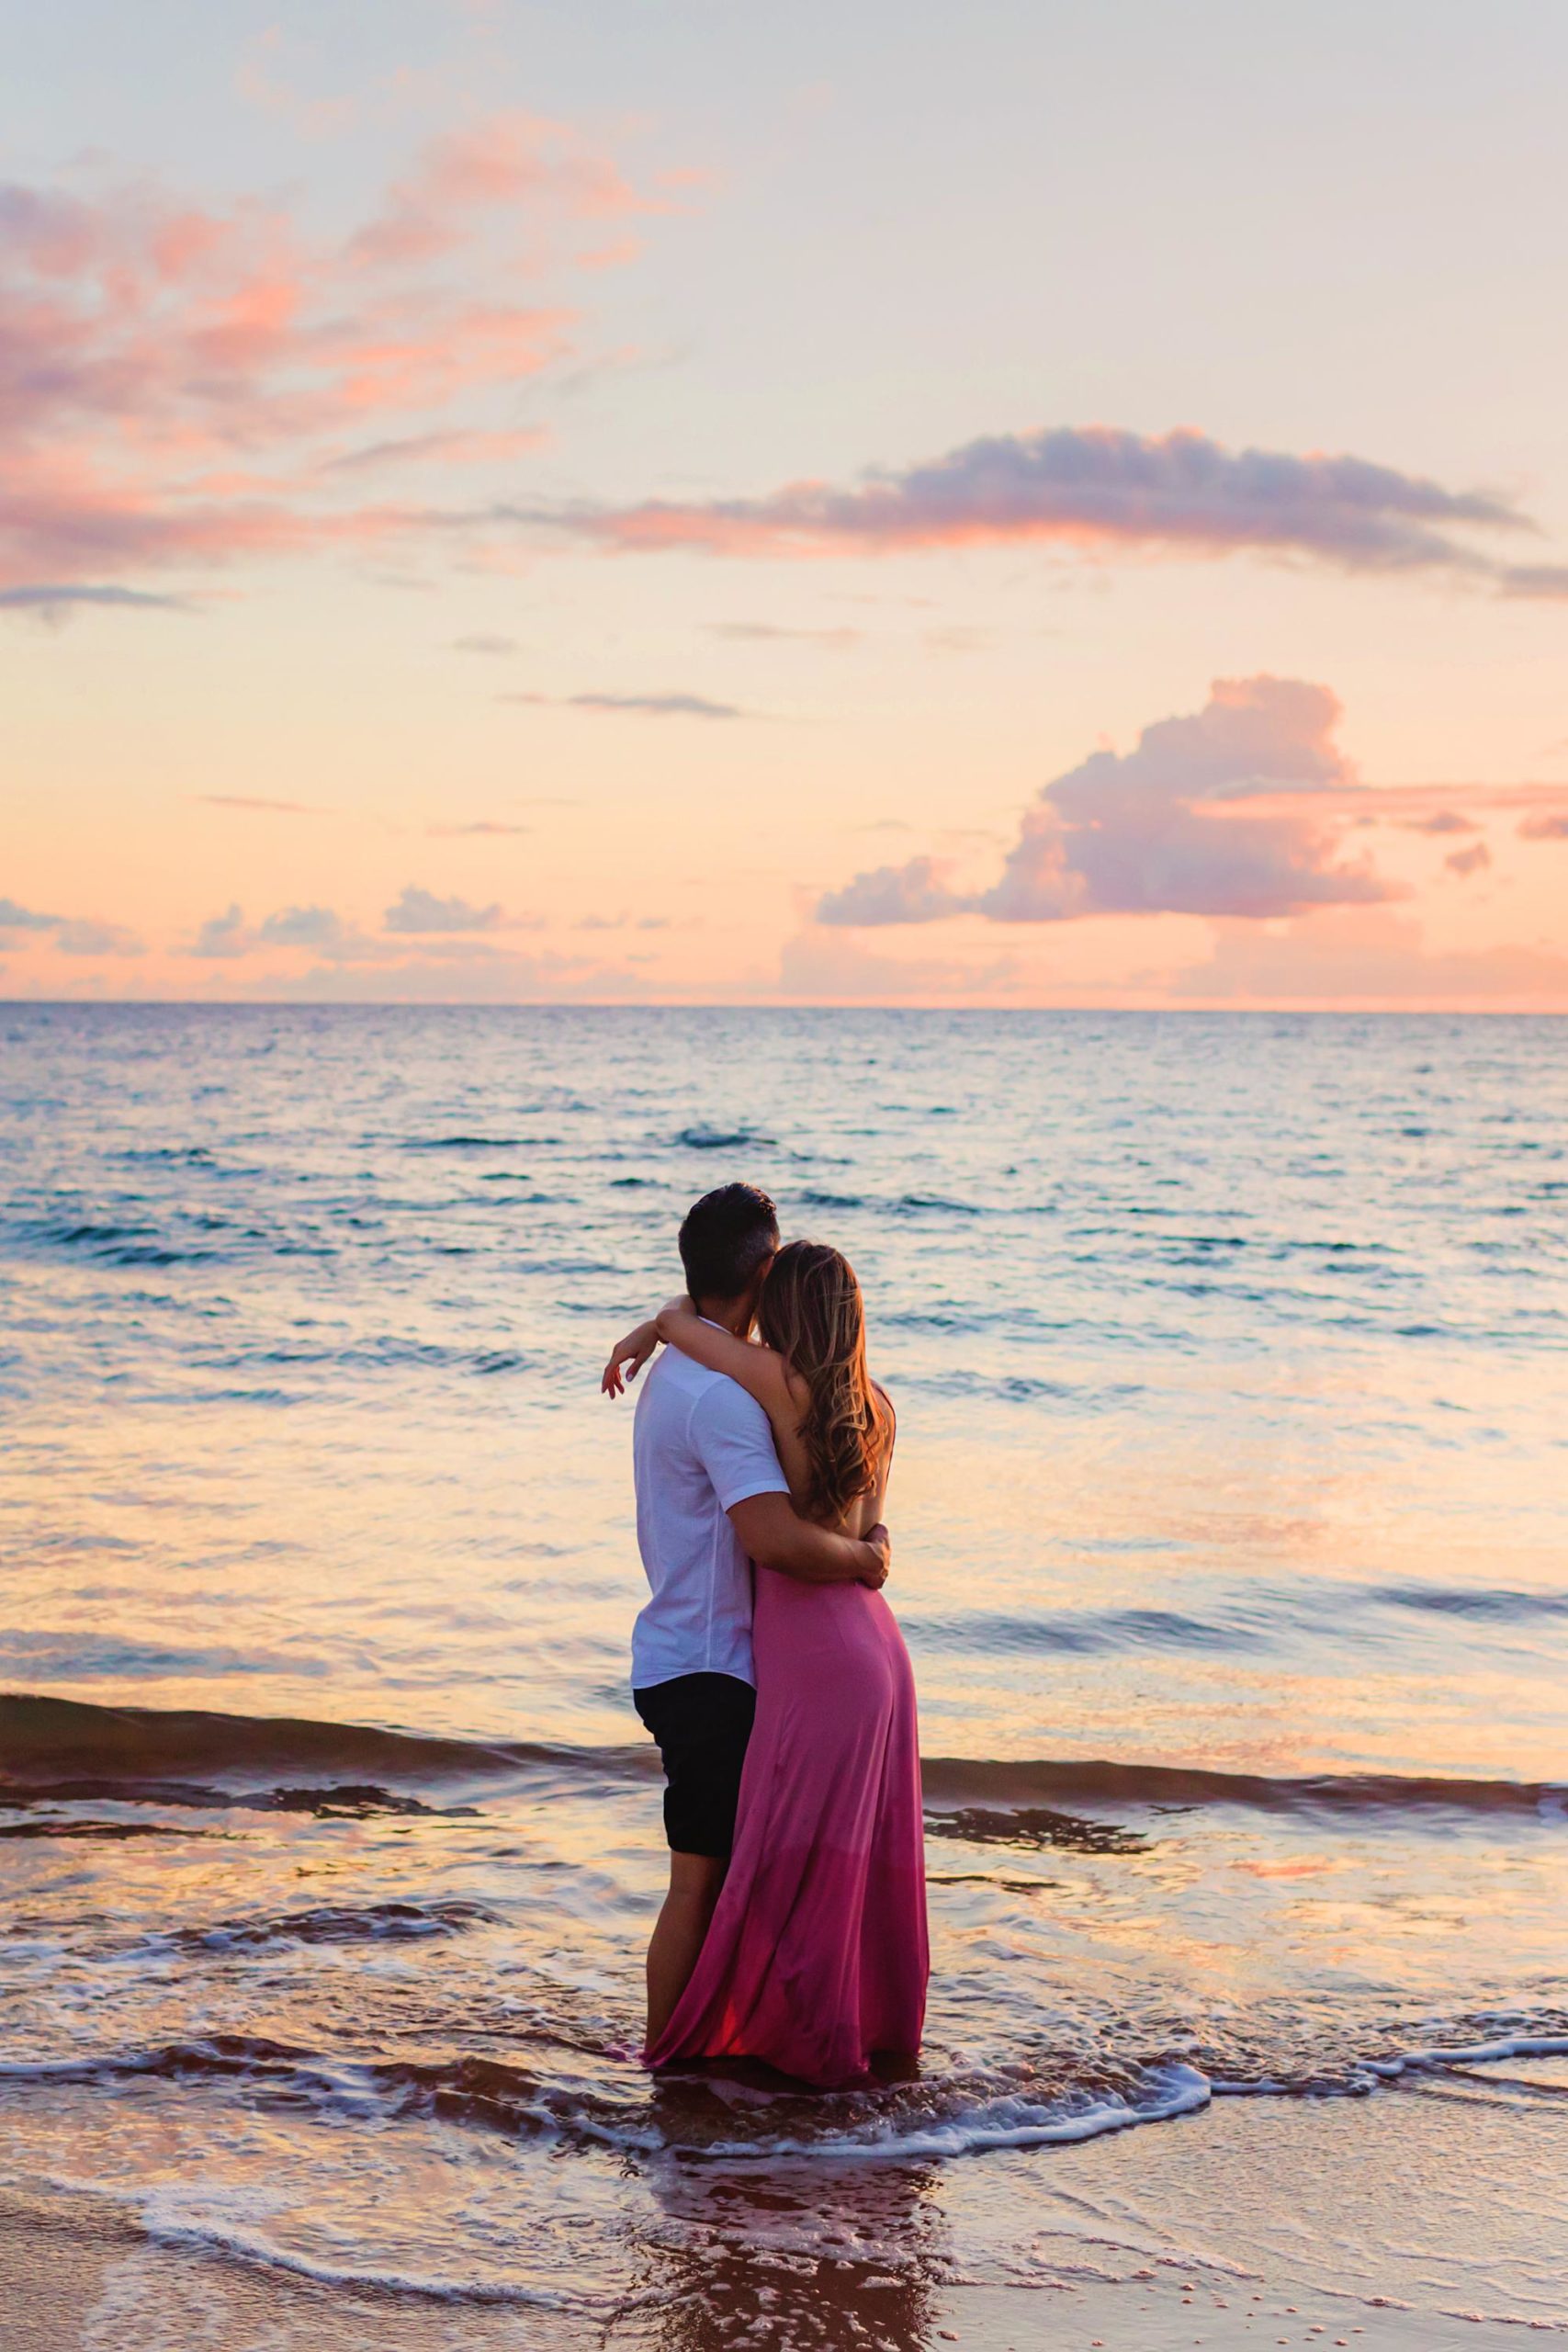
(815, 1316)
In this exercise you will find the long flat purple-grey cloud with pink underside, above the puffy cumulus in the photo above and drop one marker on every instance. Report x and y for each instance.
(1092, 488)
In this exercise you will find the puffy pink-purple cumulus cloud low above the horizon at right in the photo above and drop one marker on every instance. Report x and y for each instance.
(1170, 827)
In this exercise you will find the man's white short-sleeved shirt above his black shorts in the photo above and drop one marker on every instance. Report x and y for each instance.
(699, 1448)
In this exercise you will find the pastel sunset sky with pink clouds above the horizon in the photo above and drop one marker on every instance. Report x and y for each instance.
(1021, 505)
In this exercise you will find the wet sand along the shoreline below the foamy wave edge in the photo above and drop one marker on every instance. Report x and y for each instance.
(1249, 2226)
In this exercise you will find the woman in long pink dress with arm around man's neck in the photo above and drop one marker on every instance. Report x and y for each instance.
(817, 1956)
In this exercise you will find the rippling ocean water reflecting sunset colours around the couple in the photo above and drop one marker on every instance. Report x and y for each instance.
(1231, 1542)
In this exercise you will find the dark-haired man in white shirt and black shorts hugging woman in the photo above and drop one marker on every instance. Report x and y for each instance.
(711, 1502)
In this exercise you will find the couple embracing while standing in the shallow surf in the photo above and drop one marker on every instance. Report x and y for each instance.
(770, 1669)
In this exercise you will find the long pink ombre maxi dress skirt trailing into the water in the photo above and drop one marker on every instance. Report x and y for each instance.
(817, 1956)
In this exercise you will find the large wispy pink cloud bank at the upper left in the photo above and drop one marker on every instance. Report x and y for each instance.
(194, 385)
